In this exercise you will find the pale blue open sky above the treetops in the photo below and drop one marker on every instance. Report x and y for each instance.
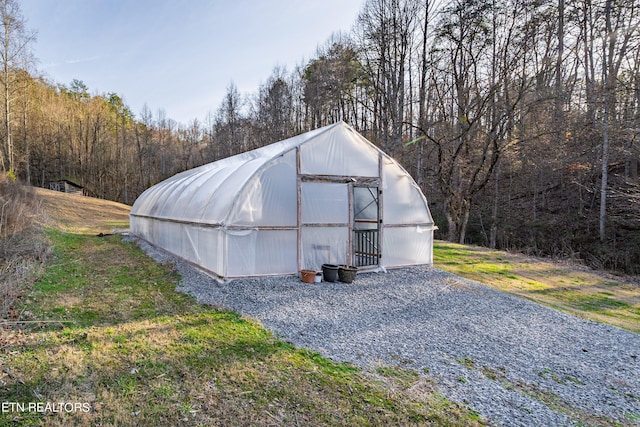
(179, 55)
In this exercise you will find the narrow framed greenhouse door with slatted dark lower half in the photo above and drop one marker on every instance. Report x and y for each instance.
(366, 226)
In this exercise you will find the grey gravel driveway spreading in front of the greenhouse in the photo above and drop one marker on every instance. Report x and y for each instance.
(515, 362)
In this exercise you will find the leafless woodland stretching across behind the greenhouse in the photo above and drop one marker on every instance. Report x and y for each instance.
(520, 120)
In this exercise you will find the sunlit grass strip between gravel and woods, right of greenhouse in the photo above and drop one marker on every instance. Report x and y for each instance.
(581, 292)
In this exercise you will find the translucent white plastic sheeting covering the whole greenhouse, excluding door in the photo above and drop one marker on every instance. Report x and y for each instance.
(286, 207)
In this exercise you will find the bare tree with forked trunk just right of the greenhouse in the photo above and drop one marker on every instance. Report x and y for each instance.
(479, 91)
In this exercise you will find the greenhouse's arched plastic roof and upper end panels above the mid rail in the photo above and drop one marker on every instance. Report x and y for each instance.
(258, 188)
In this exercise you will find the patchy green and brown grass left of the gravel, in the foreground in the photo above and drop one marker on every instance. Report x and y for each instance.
(109, 331)
